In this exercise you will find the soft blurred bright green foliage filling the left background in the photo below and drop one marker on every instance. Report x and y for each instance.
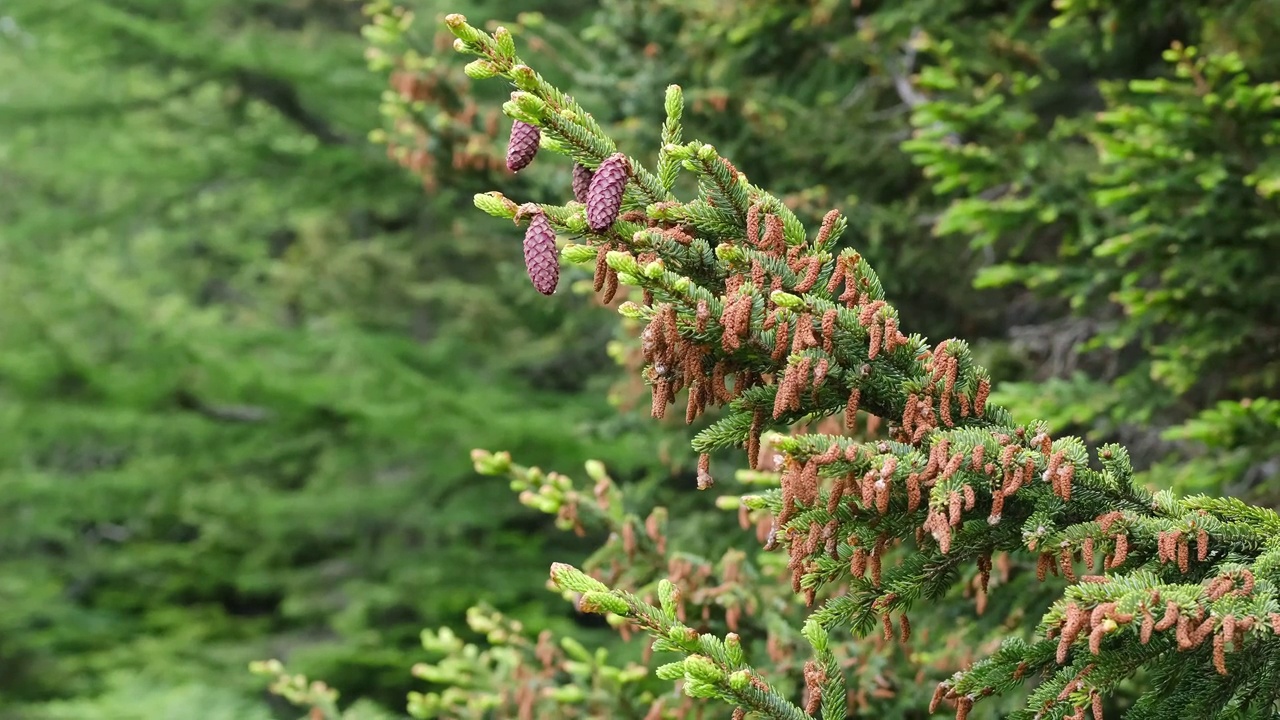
(244, 362)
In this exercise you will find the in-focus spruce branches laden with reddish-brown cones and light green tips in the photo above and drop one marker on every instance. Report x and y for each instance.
(749, 312)
